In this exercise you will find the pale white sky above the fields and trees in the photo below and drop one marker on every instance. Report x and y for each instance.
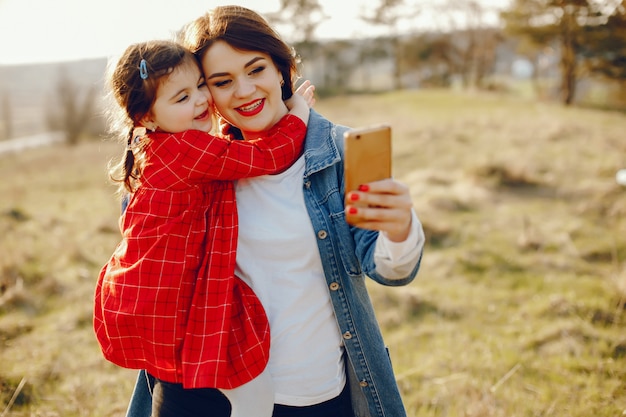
(63, 30)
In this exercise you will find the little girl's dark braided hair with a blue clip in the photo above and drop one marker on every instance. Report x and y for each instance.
(133, 84)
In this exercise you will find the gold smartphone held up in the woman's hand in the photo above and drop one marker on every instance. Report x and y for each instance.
(367, 155)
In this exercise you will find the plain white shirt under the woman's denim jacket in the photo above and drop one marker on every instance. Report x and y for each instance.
(277, 256)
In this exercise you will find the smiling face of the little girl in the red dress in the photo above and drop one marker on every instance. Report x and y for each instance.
(182, 102)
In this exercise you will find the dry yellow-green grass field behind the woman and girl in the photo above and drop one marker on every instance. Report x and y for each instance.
(518, 309)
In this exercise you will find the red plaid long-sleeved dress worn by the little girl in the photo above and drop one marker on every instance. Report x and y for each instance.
(168, 300)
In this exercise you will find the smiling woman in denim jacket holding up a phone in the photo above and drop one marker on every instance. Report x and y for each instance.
(303, 246)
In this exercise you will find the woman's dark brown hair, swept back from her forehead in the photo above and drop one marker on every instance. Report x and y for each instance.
(245, 30)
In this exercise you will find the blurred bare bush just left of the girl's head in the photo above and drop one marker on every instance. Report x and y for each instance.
(68, 115)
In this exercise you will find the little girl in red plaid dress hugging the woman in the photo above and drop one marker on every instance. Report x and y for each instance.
(168, 300)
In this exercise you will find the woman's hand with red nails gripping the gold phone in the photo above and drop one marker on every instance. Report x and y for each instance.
(382, 205)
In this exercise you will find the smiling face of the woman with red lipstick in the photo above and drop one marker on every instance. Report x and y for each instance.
(245, 86)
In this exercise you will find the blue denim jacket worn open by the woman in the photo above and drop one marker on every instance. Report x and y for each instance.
(348, 258)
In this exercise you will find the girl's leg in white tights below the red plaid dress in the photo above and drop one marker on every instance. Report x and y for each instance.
(253, 399)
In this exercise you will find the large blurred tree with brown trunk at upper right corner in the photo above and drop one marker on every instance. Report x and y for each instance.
(566, 23)
